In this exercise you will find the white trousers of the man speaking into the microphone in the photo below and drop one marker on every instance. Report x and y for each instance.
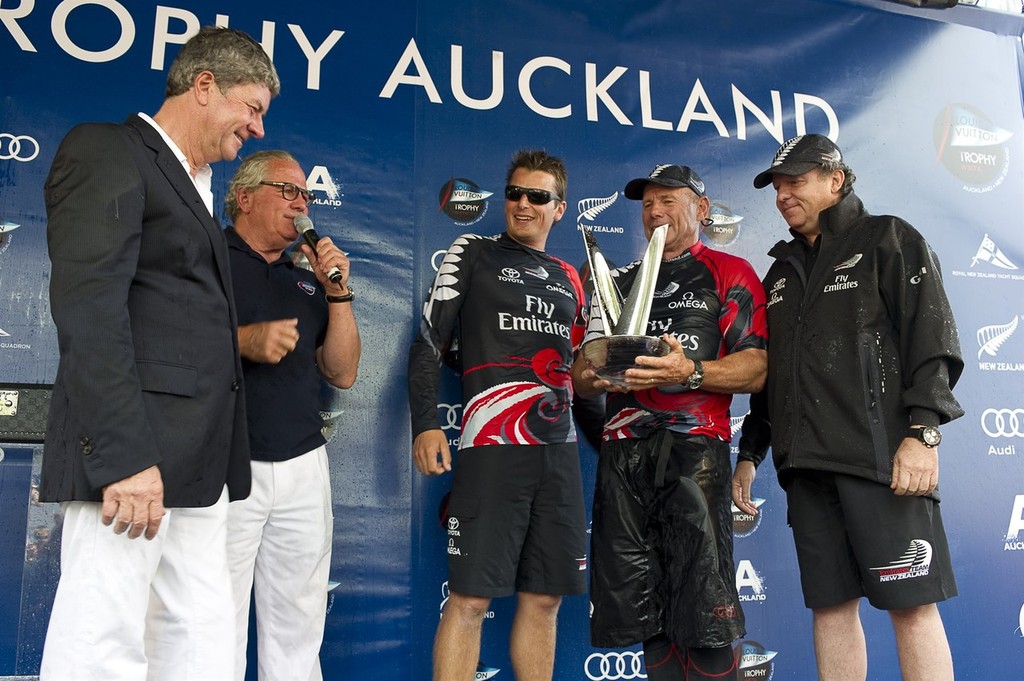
(283, 535)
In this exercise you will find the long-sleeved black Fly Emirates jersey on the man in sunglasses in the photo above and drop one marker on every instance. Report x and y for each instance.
(518, 316)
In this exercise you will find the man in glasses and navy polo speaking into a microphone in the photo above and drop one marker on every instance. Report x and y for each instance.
(295, 328)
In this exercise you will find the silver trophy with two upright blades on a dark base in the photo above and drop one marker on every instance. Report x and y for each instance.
(625, 321)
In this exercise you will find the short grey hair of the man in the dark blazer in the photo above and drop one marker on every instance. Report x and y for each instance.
(233, 57)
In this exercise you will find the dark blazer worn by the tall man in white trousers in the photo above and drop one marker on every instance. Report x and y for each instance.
(150, 372)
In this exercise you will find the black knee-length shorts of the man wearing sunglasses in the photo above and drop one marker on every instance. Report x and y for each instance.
(517, 522)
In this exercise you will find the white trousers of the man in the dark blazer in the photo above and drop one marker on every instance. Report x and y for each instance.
(137, 610)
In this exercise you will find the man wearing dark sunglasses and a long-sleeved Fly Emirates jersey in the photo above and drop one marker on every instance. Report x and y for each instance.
(516, 520)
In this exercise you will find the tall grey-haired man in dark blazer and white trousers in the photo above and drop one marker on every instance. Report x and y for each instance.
(147, 429)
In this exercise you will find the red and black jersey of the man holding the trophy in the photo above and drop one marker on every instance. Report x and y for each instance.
(714, 305)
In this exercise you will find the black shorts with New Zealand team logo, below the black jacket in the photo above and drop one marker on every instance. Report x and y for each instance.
(857, 538)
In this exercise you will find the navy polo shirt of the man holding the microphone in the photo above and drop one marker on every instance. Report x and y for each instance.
(282, 400)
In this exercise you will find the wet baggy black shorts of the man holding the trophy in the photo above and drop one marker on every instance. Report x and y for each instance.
(662, 543)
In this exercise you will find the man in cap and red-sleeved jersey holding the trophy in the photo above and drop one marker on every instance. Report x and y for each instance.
(663, 573)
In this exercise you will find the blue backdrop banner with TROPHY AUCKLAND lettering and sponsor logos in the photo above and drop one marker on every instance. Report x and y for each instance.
(406, 115)
